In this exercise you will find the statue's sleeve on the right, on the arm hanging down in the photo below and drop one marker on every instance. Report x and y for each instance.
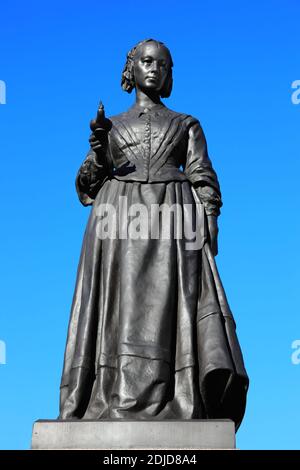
(198, 169)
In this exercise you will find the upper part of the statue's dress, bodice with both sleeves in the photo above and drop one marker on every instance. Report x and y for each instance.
(150, 146)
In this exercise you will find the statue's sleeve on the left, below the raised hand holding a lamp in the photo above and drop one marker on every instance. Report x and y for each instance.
(90, 177)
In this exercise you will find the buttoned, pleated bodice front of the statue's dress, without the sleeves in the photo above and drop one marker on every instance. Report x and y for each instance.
(149, 145)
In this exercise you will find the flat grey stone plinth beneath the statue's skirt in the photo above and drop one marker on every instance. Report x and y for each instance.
(133, 435)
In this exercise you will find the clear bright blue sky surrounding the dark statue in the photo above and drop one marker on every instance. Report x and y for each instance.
(235, 62)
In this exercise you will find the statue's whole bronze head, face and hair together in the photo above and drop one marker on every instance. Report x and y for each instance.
(148, 67)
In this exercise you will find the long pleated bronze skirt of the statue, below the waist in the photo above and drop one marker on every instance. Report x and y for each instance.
(151, 335)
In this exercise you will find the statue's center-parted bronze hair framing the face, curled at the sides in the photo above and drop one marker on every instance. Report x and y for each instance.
(128, 80)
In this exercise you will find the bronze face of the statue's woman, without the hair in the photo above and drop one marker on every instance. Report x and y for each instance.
(151, 67)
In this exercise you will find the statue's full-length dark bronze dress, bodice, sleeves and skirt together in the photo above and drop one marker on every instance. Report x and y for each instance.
(151, 334)
